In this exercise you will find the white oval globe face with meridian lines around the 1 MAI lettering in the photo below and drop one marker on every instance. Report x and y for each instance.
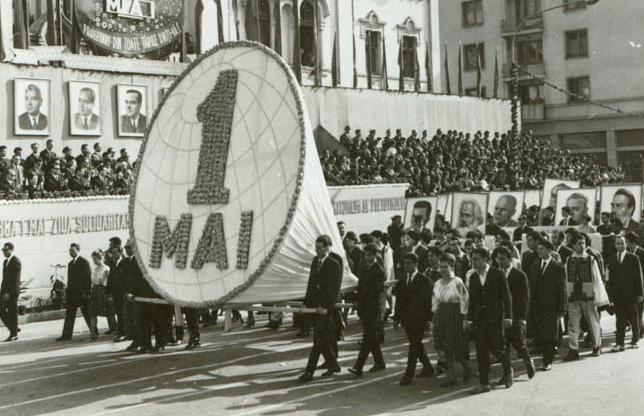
(265, 157)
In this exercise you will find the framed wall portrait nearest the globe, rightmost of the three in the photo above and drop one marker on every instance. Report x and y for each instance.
(132, 110)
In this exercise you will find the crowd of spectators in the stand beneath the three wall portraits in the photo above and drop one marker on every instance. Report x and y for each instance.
(45, 174)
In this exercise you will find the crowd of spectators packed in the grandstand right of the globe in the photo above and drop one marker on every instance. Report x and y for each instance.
(456, 161)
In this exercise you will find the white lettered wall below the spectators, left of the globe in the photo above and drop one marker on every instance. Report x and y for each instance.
(43, 229)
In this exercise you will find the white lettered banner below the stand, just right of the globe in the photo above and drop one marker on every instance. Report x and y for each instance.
(365, 208)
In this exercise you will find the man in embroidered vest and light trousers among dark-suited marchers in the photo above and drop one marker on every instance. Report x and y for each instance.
(582, 278)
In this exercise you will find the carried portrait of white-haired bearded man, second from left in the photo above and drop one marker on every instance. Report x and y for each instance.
(469, 212)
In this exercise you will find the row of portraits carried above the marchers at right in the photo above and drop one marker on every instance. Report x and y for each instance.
(467, 211)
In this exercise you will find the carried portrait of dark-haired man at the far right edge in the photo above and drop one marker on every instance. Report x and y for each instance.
(625, 203)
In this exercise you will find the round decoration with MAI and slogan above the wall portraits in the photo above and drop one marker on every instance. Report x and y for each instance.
(131, 28)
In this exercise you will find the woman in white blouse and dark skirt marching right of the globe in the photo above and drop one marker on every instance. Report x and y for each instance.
(449, 304)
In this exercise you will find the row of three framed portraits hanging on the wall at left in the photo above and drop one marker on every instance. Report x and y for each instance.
(33, 107)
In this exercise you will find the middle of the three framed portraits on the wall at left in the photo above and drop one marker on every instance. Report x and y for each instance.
(85, 108)
